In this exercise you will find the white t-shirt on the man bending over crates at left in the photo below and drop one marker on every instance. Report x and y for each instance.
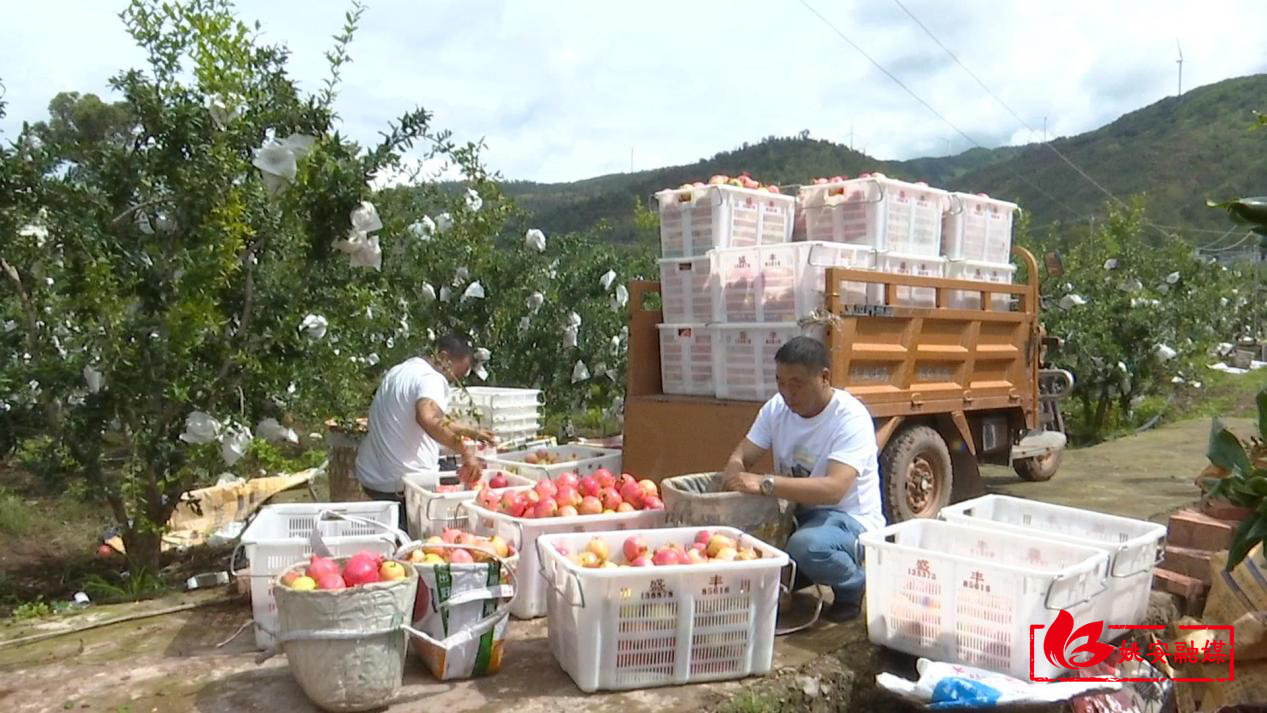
(396, 445)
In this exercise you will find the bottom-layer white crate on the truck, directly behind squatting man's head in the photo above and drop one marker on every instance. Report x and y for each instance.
(744, 358)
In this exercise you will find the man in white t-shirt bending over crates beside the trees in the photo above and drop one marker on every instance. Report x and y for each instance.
(409, 424)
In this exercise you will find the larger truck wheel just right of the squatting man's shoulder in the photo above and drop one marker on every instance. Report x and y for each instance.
(918, 477)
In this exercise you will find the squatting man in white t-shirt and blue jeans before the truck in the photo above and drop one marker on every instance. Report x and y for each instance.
(824, 444)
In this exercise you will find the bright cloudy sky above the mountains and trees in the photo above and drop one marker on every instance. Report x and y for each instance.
(564, 91)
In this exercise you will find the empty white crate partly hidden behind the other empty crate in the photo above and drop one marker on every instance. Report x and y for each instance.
(1133, 546)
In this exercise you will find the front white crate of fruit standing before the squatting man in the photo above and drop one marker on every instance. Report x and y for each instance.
(639, 628)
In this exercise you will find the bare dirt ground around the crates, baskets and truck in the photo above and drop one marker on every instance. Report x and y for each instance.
(172, 663)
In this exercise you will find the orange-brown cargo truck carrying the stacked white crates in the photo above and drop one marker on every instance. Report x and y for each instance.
(950, 388)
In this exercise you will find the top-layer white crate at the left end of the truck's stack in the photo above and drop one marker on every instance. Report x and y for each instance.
(695, 221)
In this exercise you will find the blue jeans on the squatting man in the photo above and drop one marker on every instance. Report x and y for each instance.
(827, 552)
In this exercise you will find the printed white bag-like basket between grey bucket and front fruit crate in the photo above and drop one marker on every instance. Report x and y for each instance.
(462, 615)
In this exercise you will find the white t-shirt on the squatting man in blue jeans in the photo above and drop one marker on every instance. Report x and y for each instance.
(842, 432)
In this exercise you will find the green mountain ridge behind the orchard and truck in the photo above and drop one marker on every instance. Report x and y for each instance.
(1176, 154)
